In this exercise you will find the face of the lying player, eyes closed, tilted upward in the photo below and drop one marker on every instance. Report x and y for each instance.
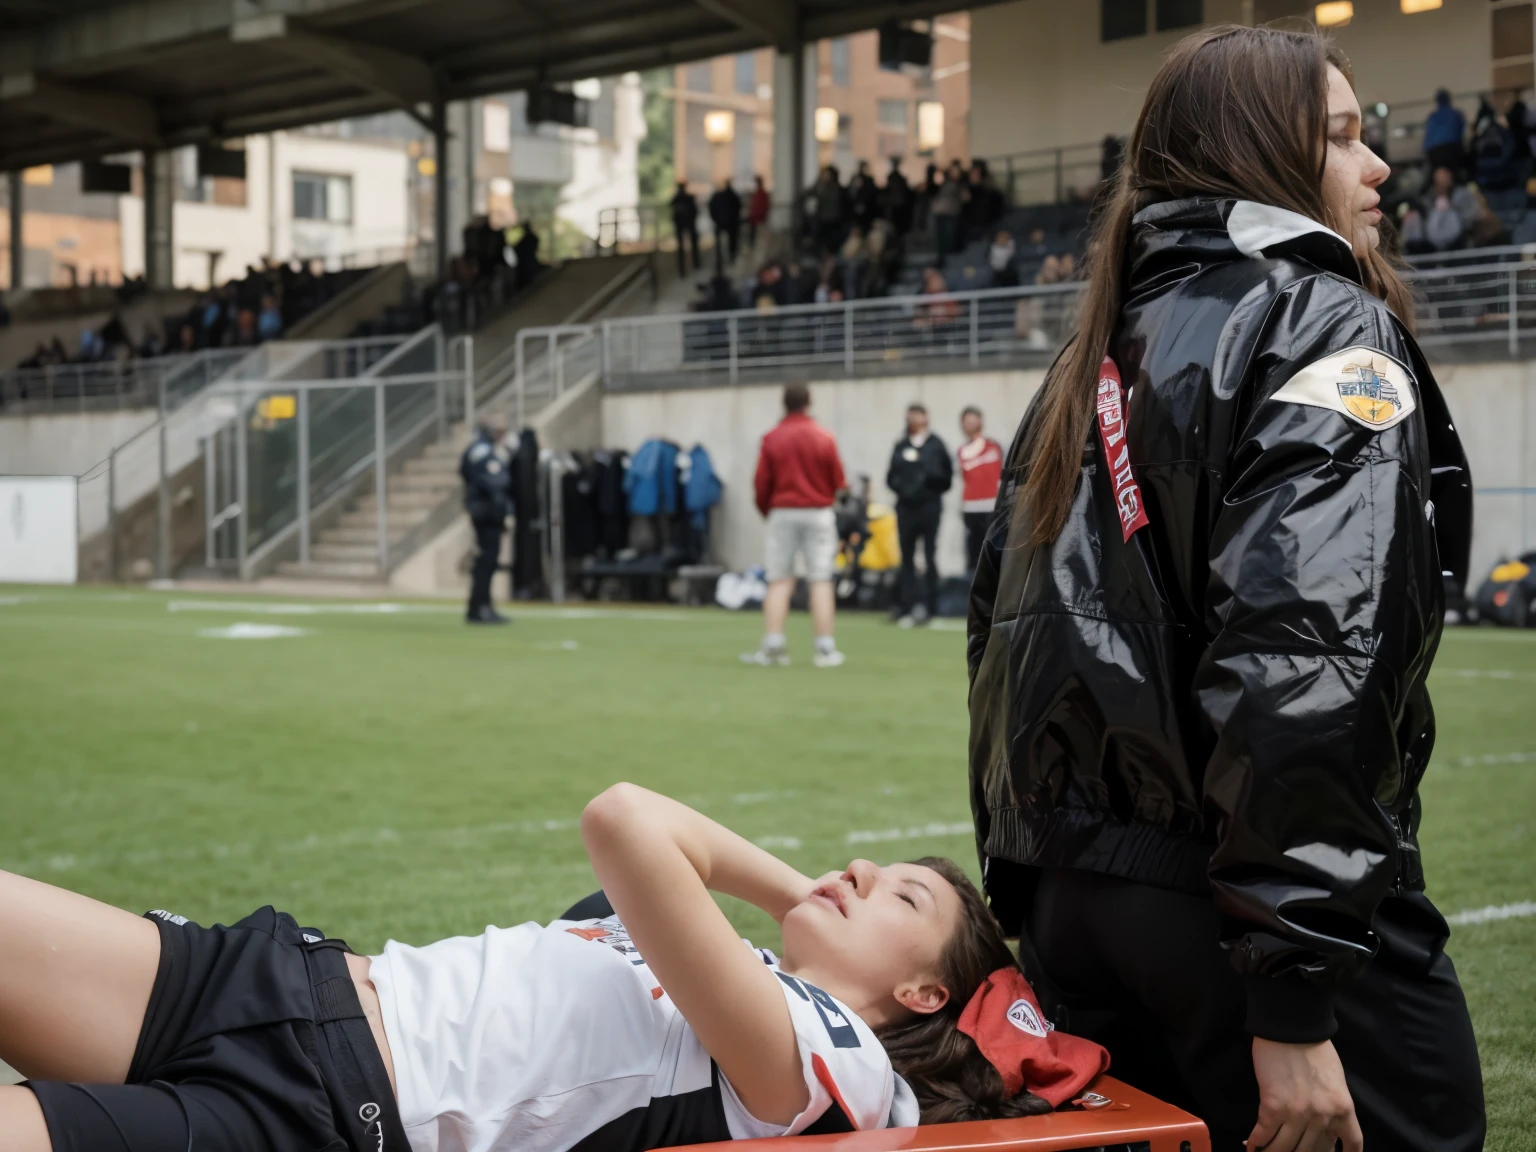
(875, 936)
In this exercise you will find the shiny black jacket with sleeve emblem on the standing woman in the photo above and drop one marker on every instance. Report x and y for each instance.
(1233, 703)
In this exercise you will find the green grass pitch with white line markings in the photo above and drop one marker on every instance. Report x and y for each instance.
(397, 775)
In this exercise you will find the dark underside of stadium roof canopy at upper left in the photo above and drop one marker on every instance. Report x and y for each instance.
(82, 79)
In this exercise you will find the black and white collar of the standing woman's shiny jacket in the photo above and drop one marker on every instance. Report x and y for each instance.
(1179, 233)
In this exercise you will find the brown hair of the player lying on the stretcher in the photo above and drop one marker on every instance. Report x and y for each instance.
(942, 1065)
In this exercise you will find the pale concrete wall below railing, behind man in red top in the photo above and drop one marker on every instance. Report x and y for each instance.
(866, 415)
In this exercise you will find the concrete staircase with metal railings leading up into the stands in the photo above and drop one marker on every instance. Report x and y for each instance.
(423, 492)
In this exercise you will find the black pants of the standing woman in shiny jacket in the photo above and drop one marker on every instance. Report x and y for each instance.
(1144, 975)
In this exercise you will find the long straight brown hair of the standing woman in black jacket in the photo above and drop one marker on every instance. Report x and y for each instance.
(1234, 113)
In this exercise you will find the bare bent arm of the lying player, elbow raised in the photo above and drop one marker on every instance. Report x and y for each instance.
(658, 861)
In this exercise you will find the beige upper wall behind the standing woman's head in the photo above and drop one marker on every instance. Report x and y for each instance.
(1042, 79)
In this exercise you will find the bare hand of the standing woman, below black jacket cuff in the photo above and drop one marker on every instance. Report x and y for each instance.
(1303, 1101)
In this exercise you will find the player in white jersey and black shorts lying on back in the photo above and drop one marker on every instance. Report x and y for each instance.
(896, 1002)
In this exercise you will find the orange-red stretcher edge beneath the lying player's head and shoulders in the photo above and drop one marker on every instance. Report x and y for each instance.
(1130, 1117)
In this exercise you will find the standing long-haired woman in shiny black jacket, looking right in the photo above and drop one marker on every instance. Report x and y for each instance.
(1203, 621)
